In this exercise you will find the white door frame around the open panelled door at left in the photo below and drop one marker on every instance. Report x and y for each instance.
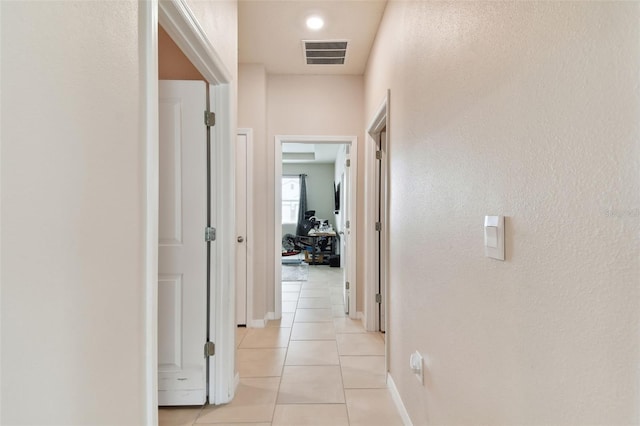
(180, 23)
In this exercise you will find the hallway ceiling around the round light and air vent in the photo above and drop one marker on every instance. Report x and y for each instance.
(271, 33)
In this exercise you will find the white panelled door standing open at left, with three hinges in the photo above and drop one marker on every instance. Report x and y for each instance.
(182, 262)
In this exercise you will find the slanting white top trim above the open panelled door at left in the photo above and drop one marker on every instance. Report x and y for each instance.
(178, 21)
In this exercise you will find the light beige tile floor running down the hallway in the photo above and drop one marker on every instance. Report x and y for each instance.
(315, 366)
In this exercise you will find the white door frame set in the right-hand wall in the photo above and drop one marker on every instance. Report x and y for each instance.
(379, 121)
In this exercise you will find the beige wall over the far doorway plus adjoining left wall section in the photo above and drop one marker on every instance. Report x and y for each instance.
(287, 105)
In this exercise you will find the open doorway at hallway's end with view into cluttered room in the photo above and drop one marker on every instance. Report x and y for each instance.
(321, 232)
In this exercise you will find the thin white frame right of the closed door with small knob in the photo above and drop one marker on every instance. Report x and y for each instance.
(248, 238)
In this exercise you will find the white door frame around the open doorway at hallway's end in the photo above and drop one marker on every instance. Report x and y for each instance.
(353, 142)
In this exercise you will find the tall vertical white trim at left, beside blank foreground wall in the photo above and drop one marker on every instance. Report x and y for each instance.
(148, 21)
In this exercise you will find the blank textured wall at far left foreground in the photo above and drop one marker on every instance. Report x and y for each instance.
(72, 218)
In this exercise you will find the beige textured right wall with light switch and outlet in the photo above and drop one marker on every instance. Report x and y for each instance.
(529, 110)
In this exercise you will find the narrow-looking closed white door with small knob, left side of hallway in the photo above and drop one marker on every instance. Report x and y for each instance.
(241, 229)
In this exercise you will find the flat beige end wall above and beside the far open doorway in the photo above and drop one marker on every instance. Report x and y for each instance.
(311, 105)
